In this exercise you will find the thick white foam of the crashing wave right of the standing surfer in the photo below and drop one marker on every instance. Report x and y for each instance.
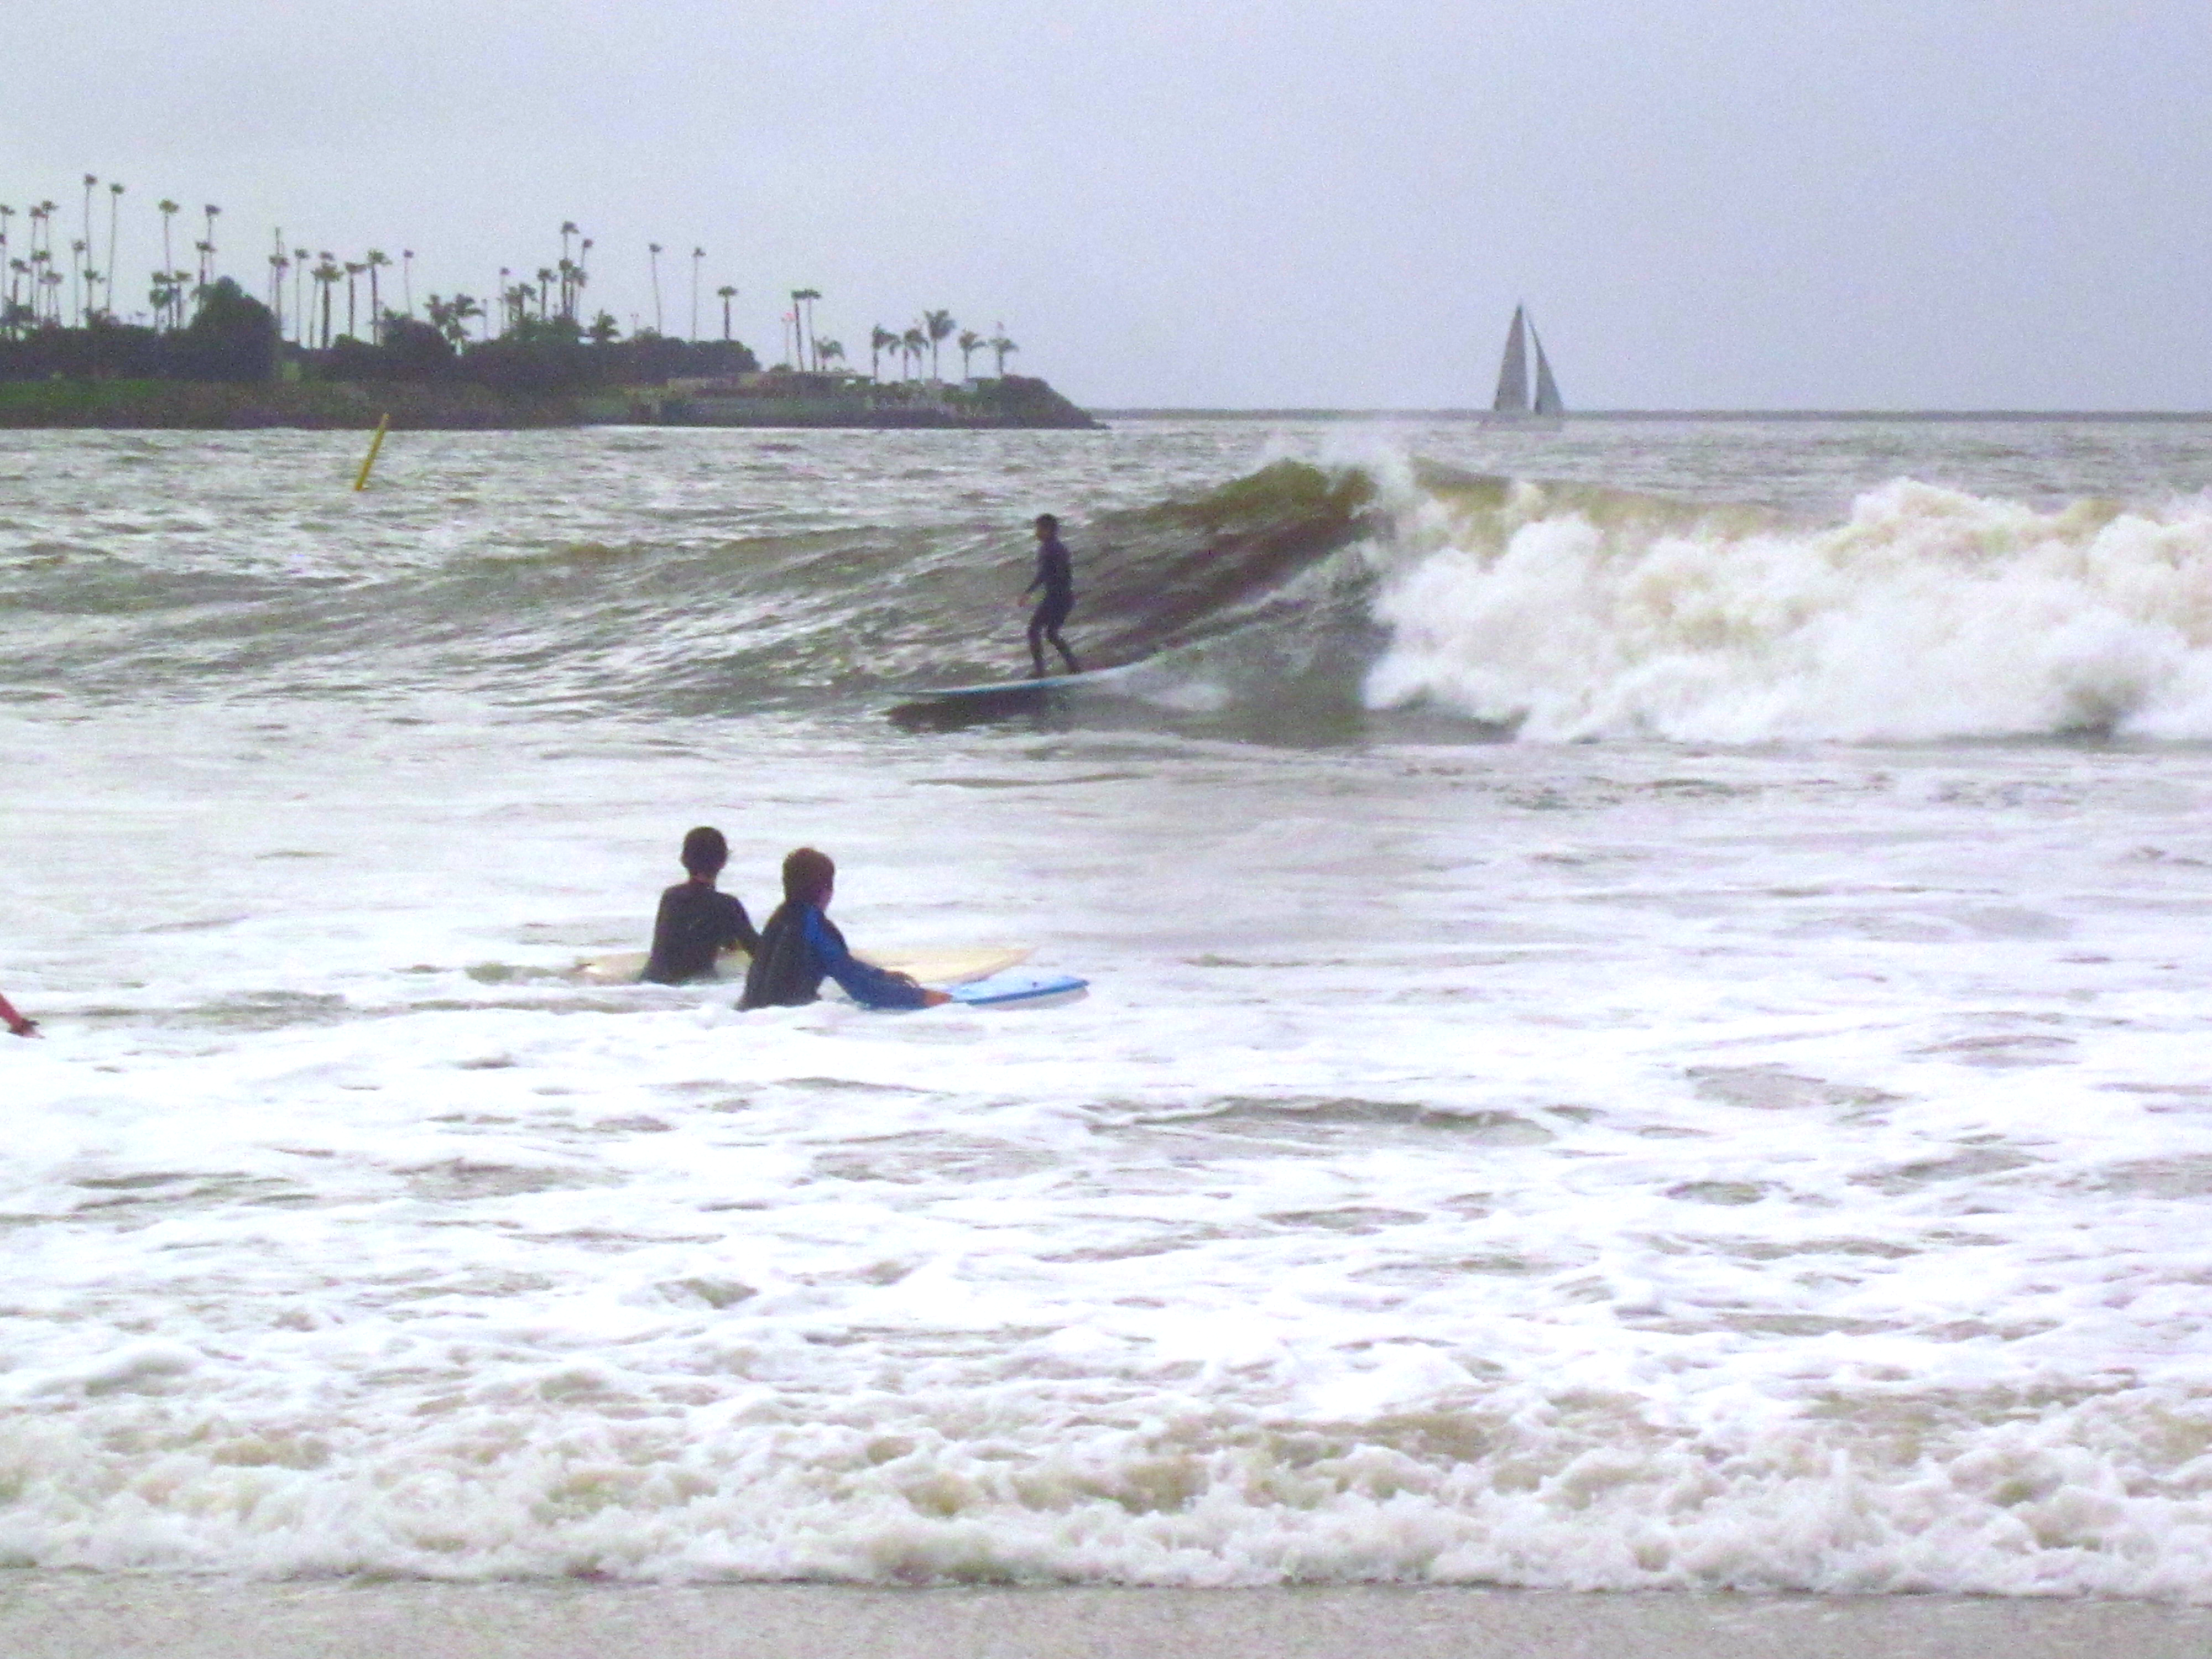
(1926, 614)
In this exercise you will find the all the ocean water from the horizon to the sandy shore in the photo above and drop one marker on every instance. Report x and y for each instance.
(1649, 1010)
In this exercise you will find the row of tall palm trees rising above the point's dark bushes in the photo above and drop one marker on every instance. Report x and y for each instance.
(36, 282)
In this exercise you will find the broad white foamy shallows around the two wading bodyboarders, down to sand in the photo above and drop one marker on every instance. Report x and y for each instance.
(1611, 1165)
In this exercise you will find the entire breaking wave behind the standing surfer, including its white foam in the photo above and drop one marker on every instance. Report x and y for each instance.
(1324, 598)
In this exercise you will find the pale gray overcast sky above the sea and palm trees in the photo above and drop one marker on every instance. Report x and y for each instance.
(1249, 202)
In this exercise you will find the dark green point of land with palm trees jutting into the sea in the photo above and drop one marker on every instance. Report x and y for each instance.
(209, 355)
